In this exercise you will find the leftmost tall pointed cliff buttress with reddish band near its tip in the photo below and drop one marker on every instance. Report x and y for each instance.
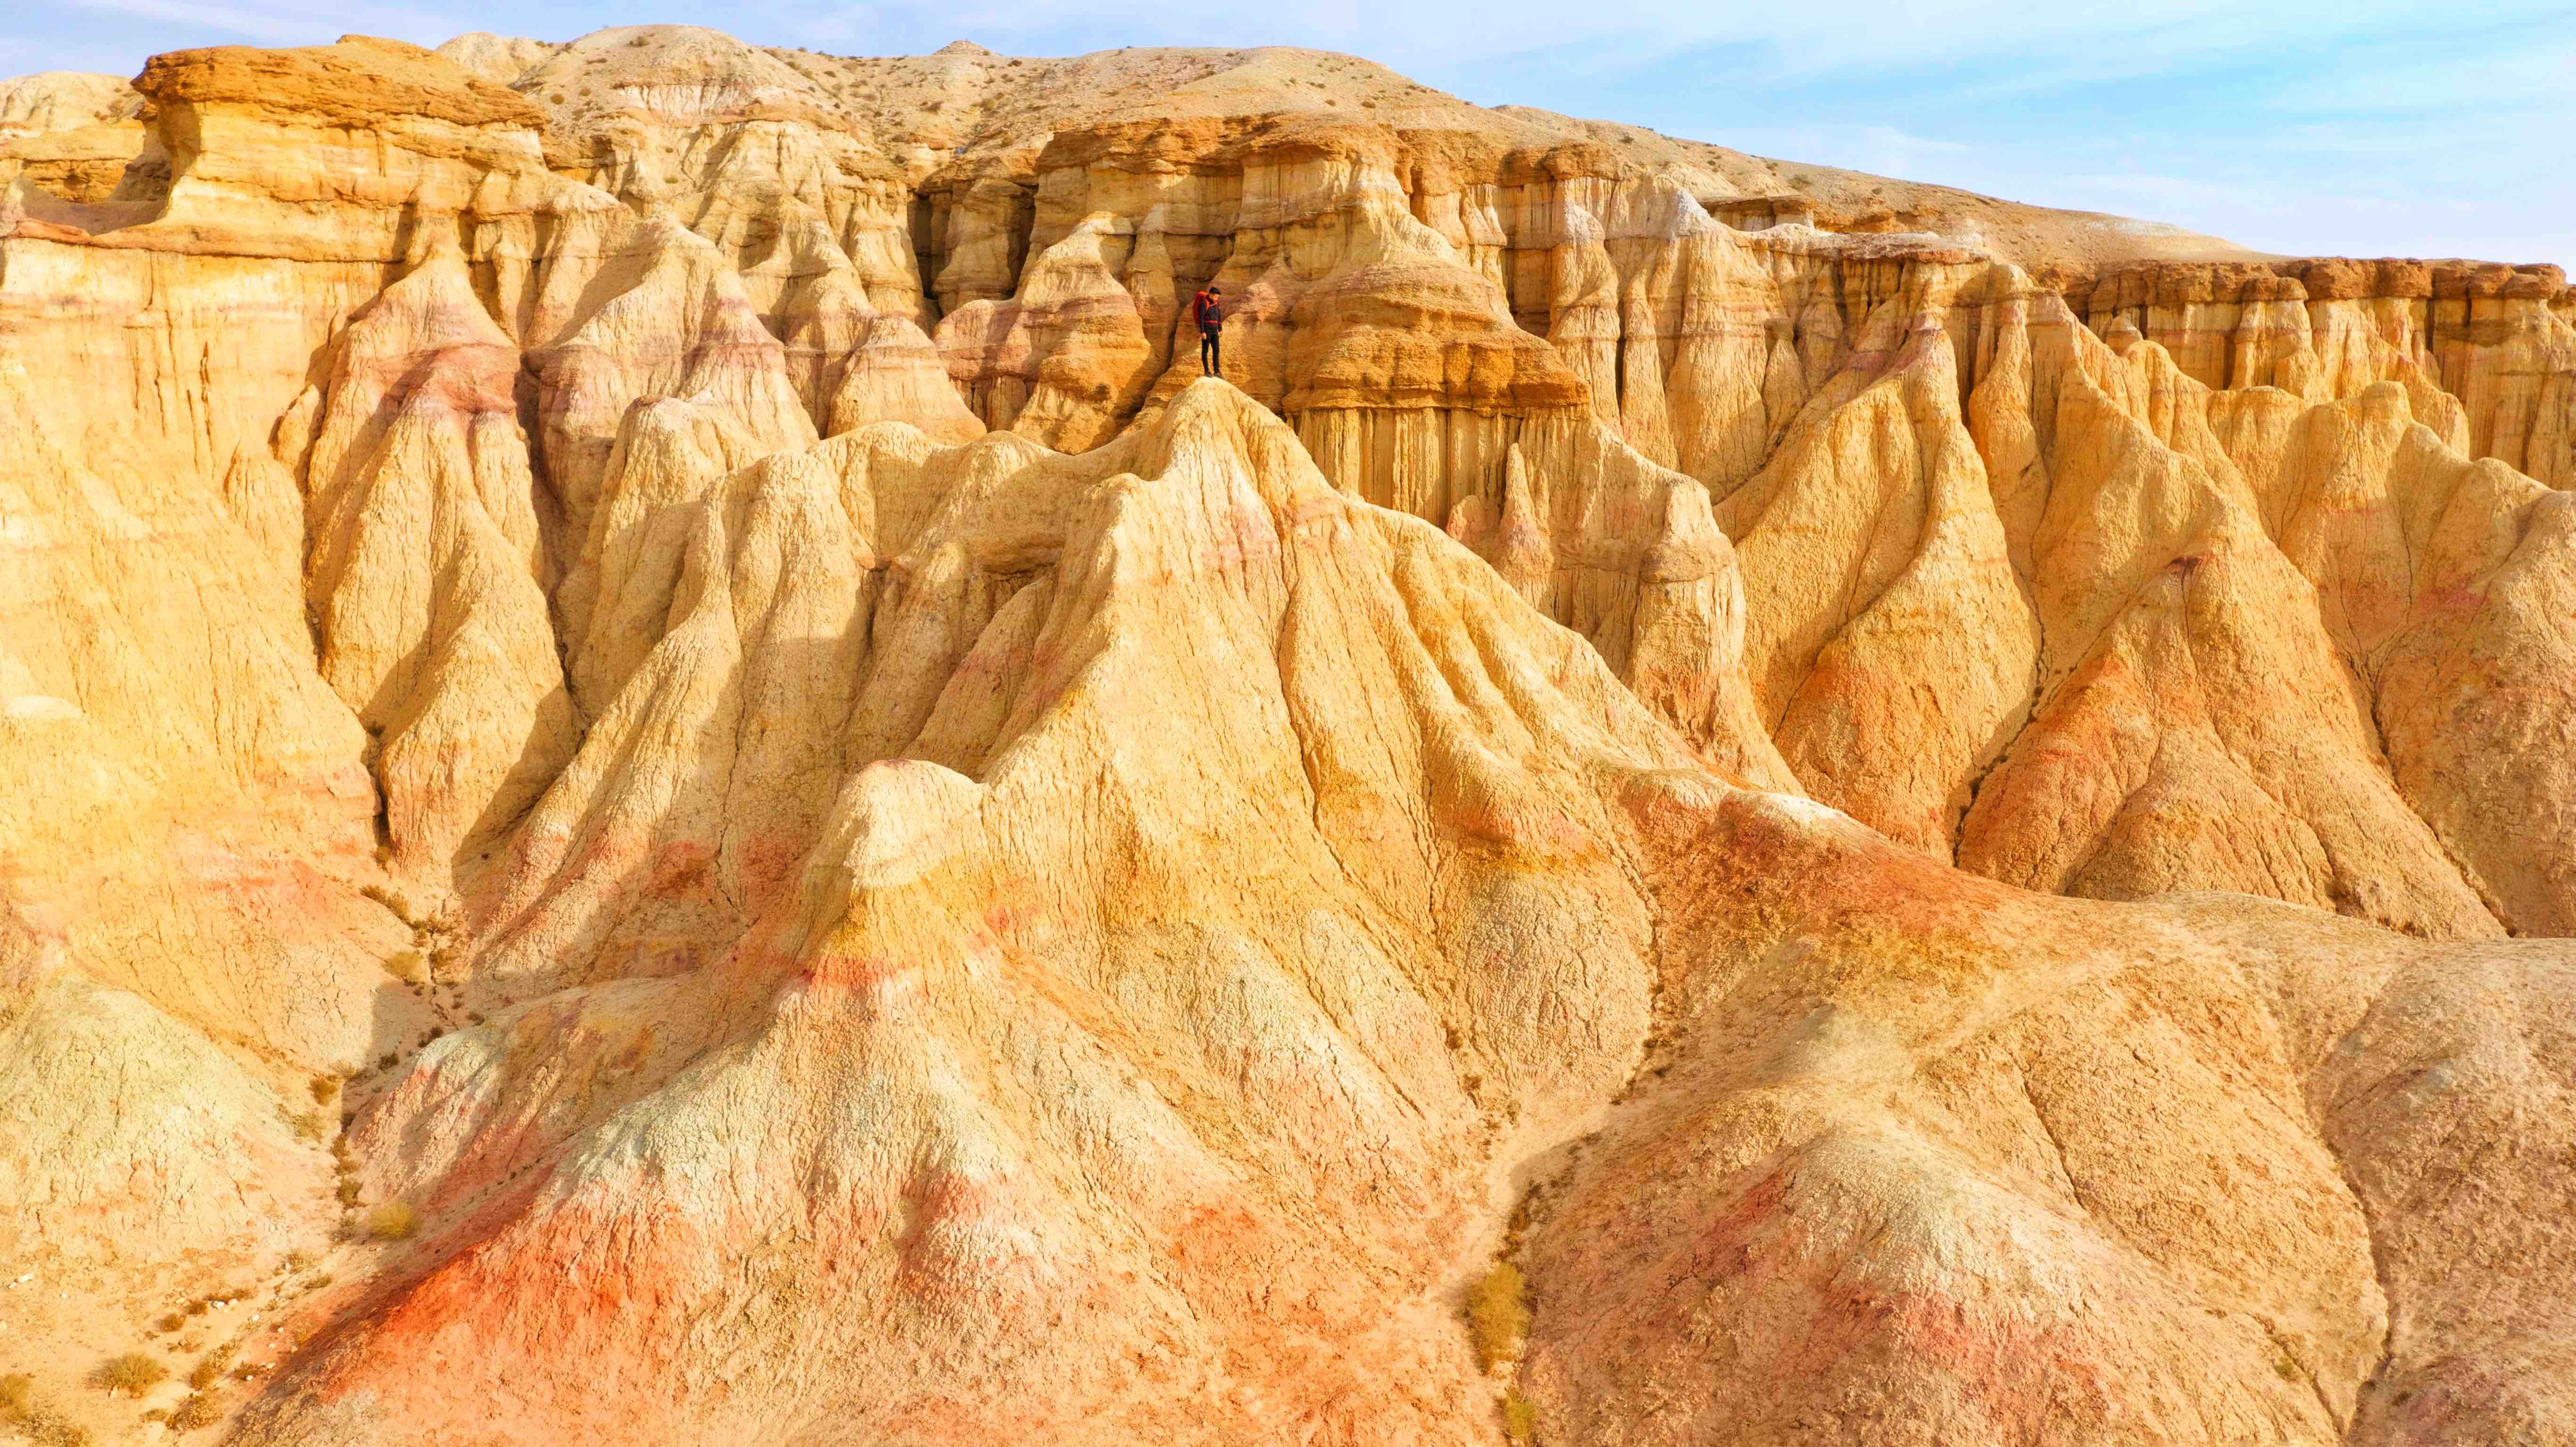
(426, 570)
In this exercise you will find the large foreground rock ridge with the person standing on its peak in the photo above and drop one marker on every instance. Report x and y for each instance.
(1403, 733)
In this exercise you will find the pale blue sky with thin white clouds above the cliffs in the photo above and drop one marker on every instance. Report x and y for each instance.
(2309, 127)
